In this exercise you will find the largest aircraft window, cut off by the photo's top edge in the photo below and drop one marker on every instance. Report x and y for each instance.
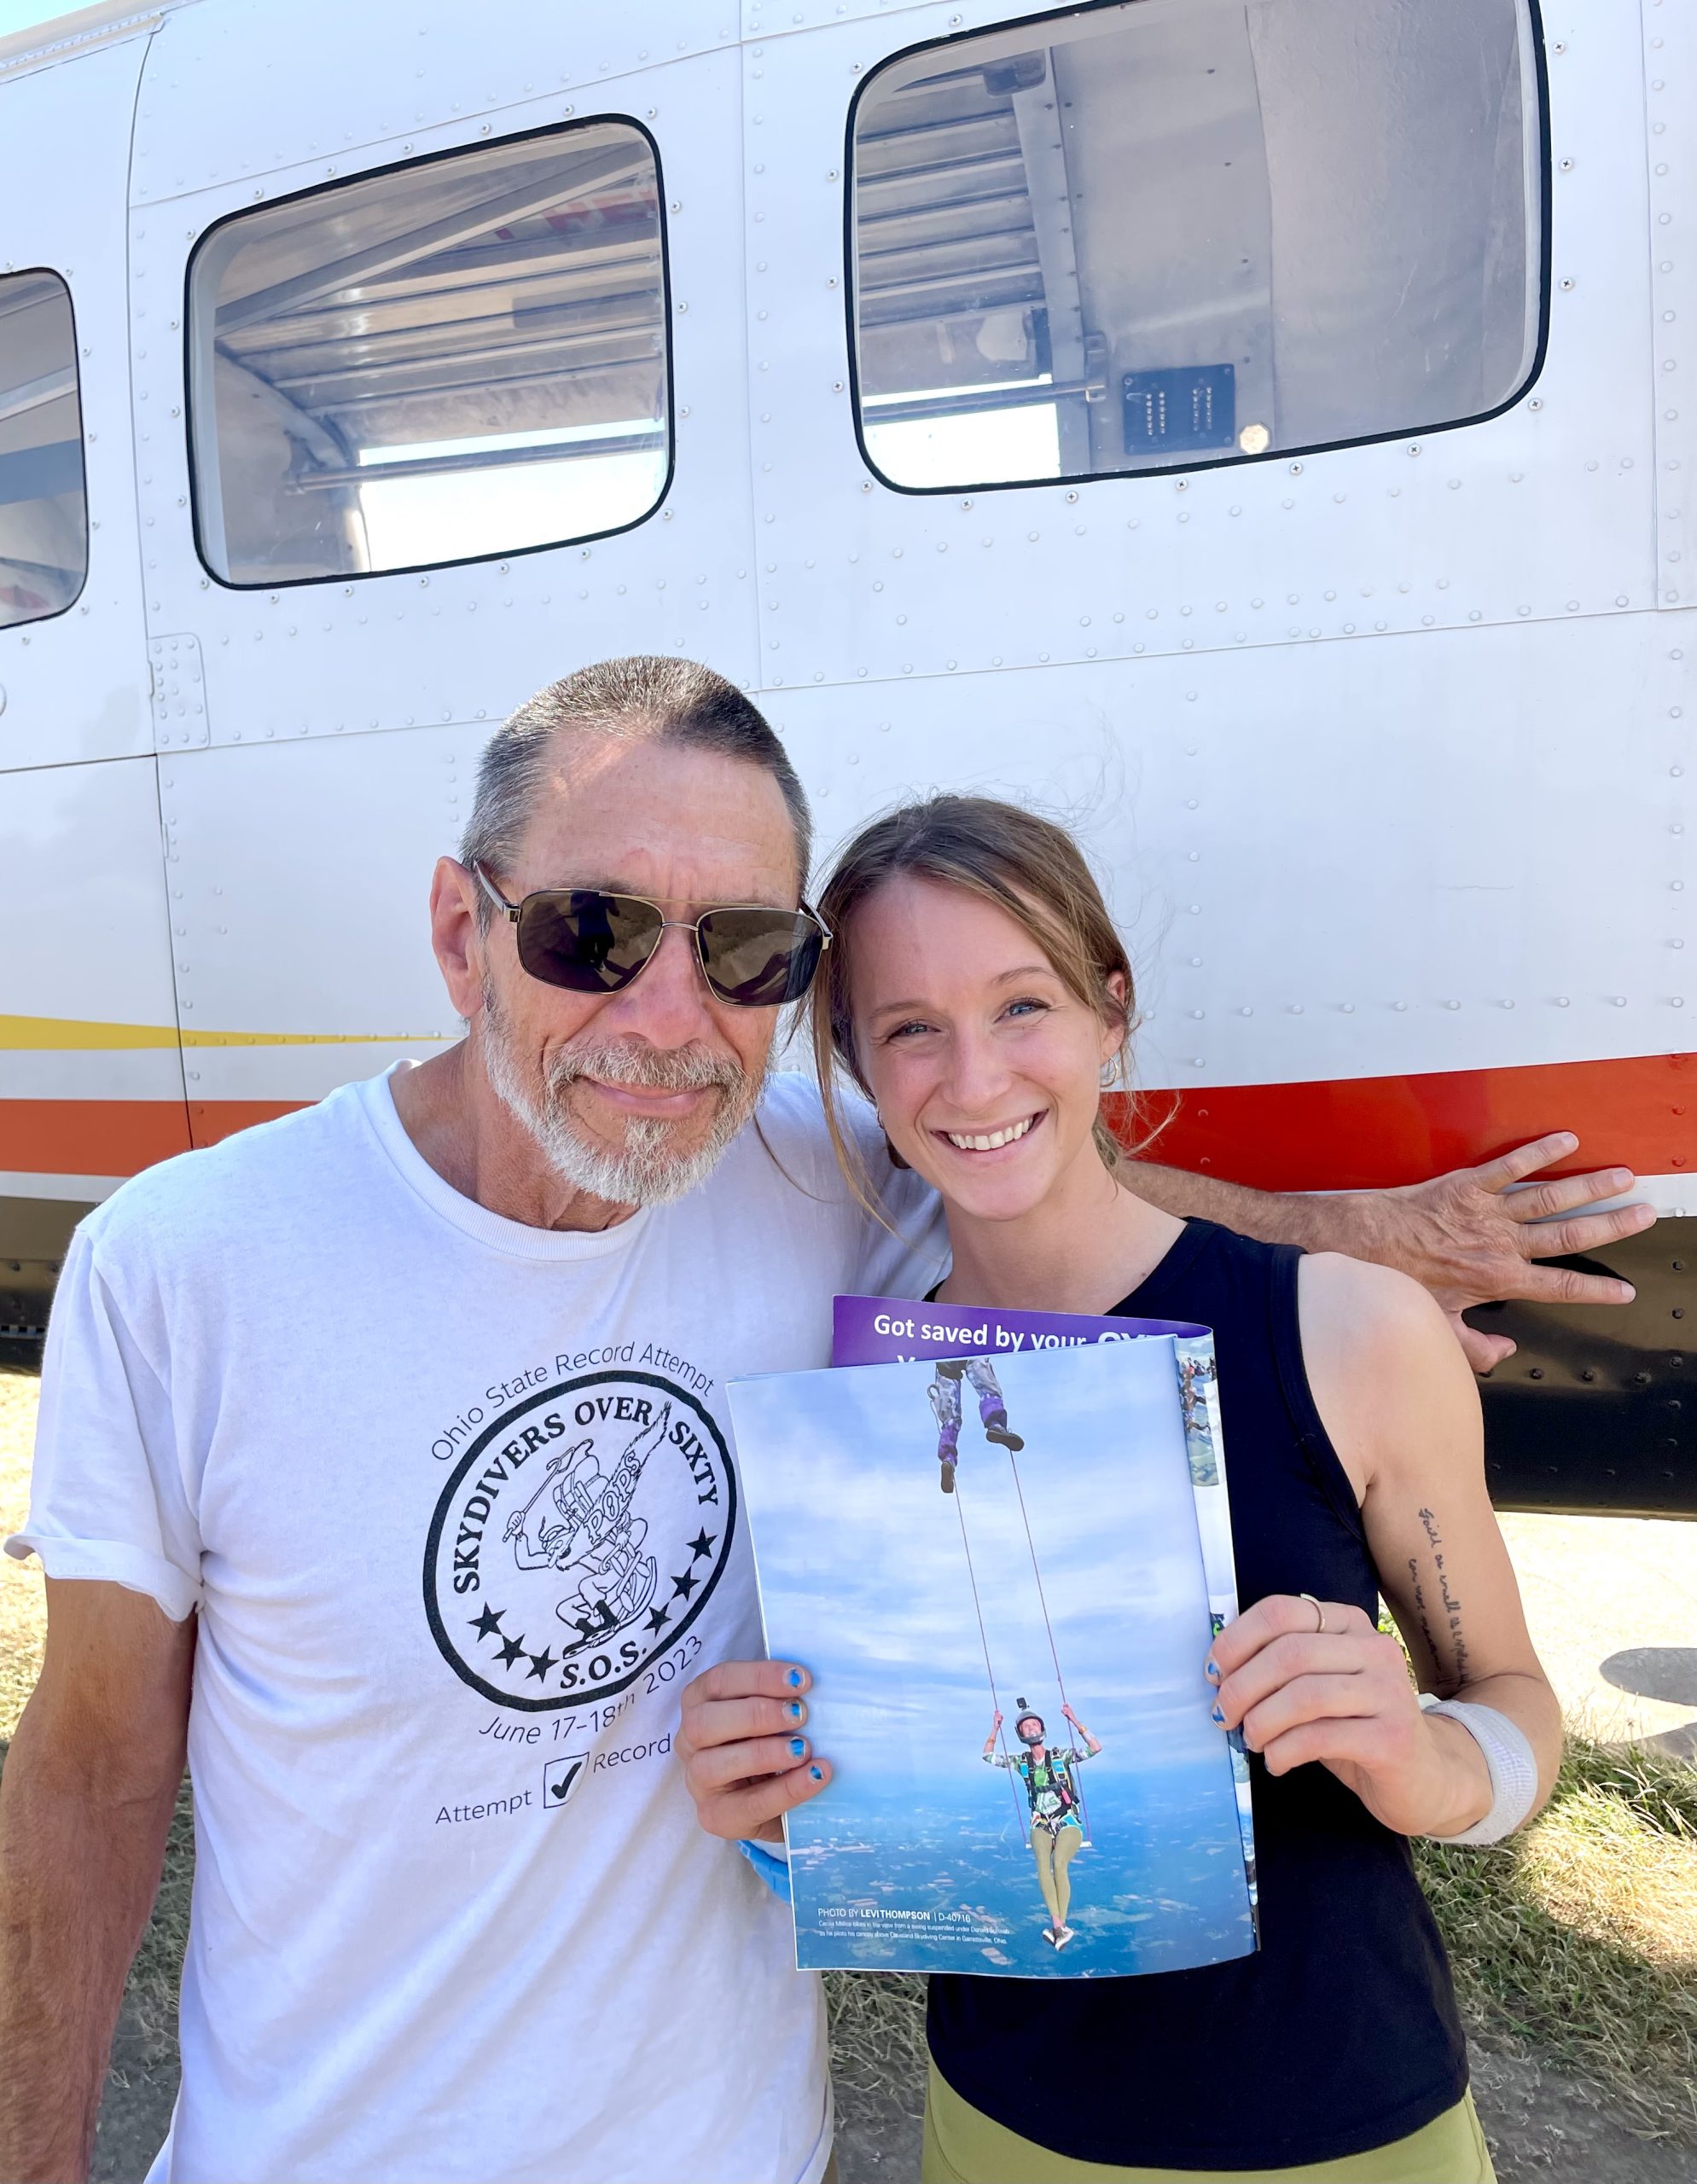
(1187, 233)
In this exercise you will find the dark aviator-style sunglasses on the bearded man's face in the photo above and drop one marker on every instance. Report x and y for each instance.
(593, 942)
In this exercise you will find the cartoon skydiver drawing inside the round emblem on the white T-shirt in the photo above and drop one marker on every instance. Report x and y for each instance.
(586, 1532)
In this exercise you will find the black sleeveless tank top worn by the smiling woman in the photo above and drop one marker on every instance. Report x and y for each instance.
(1340, 2034)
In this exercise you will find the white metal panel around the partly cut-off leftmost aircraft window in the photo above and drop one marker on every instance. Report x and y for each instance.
(78, 685)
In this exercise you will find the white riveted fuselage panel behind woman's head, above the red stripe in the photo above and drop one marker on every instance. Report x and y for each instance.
(1329, 862)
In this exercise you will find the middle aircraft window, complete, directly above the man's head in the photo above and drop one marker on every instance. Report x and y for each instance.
(444, 361)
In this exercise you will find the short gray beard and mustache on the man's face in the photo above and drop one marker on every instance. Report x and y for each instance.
(645, 1172)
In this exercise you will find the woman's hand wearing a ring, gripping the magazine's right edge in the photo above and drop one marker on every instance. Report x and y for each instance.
(1342, 1696)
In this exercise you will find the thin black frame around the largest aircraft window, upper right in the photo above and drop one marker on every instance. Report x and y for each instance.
(1226, 460)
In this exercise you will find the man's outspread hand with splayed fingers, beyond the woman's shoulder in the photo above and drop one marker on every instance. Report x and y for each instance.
(1473, 1239)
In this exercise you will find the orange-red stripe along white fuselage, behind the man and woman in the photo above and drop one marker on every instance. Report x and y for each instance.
(1346, 1135)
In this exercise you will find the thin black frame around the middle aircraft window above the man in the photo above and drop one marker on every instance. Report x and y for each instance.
(379, 174)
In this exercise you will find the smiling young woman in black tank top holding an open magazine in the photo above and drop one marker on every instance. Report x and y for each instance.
(980, 997)
